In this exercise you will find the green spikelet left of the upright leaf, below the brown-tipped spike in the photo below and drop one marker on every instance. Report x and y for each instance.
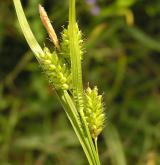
(57, 73)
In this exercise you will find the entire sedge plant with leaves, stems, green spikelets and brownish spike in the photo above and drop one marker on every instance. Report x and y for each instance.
(84, 107)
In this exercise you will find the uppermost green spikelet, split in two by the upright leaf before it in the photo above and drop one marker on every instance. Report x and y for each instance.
(65, 51)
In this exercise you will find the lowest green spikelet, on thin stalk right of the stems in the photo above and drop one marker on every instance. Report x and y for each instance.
(94, 111)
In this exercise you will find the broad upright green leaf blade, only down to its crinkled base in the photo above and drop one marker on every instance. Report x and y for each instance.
(75, 56)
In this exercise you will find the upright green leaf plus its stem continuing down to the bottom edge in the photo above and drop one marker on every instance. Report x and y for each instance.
(76, 71)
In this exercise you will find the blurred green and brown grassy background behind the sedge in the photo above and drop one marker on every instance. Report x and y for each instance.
(122, 57)
